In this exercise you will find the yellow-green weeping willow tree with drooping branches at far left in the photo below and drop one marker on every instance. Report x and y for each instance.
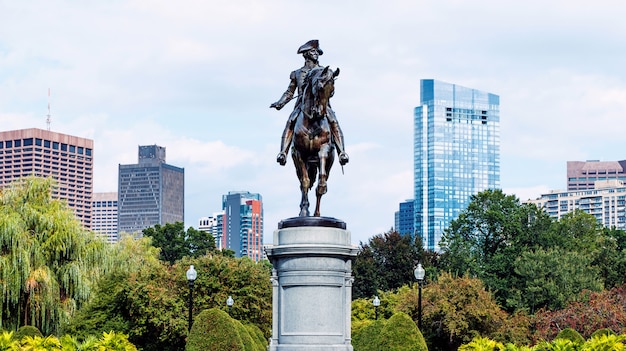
(48, 261)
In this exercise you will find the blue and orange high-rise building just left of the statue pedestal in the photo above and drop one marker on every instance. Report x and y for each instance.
(242, 224)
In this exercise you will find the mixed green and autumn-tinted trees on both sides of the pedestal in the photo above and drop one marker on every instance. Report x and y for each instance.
(507, 273)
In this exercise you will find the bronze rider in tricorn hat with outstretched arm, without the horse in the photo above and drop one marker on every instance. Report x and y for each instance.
(310, 51)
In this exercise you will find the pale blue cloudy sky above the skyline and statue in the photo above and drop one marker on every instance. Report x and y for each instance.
(197, 77)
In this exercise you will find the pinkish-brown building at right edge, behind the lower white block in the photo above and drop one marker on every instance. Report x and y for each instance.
(582, 175)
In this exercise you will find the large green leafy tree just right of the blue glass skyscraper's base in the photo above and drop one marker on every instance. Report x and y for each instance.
(514, 248)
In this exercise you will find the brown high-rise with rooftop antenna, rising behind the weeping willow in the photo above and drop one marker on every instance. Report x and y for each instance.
(67, 159)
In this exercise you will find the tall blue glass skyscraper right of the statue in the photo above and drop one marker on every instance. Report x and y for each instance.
(456, 151)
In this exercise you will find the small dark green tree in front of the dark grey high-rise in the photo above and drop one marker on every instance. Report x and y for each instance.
(176, 243)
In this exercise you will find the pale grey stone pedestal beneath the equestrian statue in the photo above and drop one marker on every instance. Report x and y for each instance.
(312, 285)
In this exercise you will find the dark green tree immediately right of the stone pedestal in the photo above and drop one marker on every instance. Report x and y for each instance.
(385, 263)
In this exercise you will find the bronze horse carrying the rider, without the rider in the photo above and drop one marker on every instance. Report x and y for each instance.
(313, 150)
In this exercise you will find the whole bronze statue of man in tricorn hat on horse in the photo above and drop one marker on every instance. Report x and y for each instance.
(312, 130)
